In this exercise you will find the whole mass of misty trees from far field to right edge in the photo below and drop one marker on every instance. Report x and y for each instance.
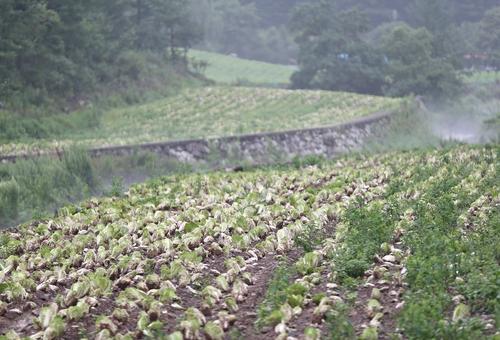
(340, 49)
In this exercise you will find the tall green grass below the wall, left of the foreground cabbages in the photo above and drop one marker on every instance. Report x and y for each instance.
(37, 188)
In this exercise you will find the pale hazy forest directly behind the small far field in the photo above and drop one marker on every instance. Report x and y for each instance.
(239, 27)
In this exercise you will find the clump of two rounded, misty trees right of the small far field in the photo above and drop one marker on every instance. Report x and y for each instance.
(335, 55)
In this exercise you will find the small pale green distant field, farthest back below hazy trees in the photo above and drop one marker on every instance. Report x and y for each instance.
(226, 69)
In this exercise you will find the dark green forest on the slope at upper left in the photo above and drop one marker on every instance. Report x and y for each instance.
(69, 49)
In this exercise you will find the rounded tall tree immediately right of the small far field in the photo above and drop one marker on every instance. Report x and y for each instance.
(332, 55)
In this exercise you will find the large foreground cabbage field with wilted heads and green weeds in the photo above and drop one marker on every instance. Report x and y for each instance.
(390, 245)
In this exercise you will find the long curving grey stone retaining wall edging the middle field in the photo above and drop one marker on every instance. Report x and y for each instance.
(258, 148)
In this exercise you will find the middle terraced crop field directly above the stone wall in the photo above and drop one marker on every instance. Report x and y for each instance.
(215, 112)
